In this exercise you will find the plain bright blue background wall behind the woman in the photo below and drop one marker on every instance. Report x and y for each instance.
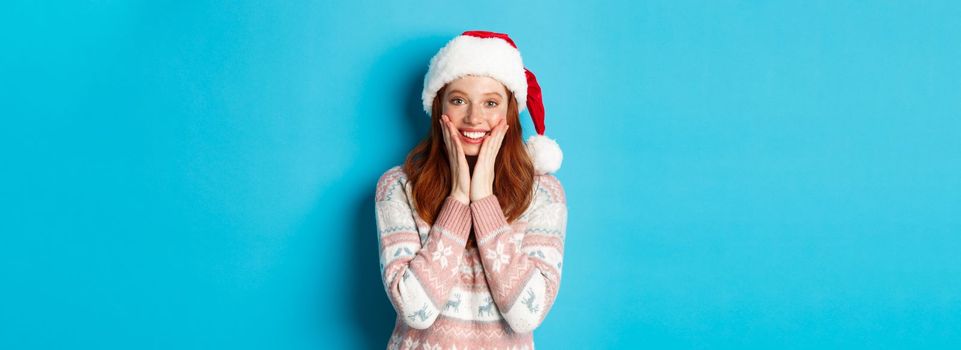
(200, 174)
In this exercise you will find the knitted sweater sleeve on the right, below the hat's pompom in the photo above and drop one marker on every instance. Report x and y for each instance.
(523, 263)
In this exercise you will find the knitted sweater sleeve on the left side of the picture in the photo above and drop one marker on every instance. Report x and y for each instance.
(418, 278)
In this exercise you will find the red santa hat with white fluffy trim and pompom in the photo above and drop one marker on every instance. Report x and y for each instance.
(494, 55)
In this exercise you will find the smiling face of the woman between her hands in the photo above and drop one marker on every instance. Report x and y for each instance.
(475, 104)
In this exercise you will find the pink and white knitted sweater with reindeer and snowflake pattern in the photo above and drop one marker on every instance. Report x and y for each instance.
(451, 295)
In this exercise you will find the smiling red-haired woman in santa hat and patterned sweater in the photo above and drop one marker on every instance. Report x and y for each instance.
(471, 228)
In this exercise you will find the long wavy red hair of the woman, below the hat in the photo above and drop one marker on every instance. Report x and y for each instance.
(428, 169)
